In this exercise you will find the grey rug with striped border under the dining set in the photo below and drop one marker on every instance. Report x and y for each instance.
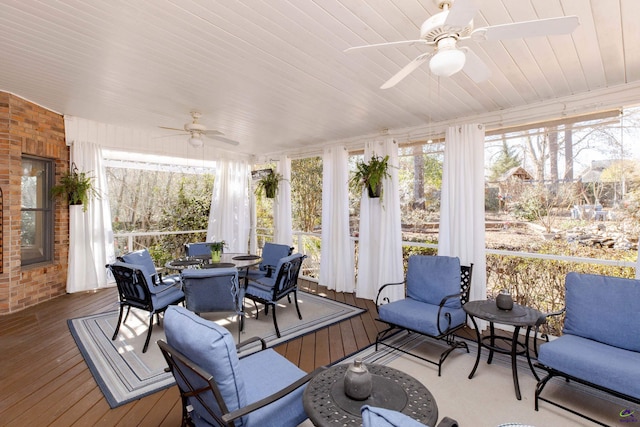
(124, 373)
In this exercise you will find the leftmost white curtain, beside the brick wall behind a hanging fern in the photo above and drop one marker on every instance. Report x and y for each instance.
(90, 233)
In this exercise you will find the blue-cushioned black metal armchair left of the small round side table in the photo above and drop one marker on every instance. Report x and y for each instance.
(436, 289)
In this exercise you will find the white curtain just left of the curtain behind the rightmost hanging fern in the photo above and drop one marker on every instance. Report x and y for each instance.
(336, 257)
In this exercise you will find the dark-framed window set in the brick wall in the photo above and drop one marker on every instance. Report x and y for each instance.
(36, 230)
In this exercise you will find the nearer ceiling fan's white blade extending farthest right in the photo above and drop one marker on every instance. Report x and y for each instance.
(540, 27)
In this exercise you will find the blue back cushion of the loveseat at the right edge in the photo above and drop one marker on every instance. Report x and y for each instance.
(604, 309)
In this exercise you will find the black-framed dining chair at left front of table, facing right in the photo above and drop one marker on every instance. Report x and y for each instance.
(134, 290)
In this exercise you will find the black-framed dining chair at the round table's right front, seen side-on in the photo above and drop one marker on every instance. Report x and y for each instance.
(284, 282)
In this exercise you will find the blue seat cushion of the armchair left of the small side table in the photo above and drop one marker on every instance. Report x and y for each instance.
(420, 316)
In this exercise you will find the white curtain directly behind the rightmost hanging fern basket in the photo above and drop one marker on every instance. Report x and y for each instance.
(380, 243)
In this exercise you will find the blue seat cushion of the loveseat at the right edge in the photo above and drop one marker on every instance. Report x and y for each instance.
(598, 363)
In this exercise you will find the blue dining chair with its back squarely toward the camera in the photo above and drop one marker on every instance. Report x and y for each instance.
(213, 289)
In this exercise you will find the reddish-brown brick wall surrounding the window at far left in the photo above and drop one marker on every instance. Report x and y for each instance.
(27, 128)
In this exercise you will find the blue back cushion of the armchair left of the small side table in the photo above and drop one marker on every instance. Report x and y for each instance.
(431, 278)
